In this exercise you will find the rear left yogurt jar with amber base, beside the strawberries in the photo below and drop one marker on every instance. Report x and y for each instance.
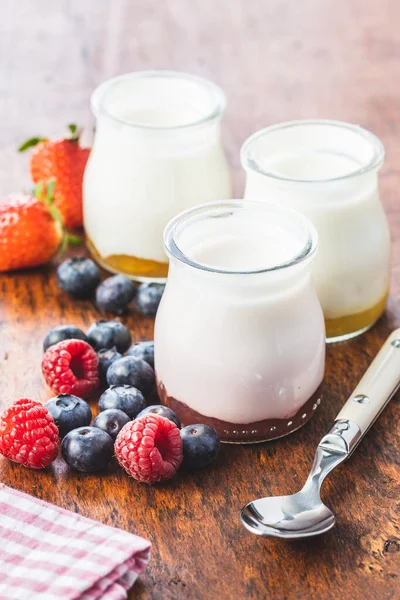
(157, 151)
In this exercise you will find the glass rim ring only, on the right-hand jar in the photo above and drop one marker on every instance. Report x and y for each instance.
(377, 158)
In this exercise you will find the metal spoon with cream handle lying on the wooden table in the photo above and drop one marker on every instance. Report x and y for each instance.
(303, 514)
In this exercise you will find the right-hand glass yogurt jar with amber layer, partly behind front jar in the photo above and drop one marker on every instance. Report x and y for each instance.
(328, 170)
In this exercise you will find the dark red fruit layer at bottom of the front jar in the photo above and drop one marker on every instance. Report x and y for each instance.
(246, 433)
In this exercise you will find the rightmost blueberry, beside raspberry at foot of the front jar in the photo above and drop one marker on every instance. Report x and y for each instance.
(200, 445)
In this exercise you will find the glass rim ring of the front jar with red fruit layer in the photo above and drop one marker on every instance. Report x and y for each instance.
(172, 229)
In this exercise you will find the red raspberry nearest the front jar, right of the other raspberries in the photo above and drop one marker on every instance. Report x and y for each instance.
(149, 448)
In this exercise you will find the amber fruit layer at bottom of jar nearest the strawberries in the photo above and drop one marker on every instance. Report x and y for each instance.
(129, 265)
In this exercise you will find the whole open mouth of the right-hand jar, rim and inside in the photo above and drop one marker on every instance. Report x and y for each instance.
(313, 153)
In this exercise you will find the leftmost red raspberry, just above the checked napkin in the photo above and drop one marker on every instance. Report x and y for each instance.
(28, 434)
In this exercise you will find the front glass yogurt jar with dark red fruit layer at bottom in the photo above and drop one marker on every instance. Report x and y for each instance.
(239, 335)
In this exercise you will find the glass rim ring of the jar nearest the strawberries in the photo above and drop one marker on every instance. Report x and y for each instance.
(219, 103)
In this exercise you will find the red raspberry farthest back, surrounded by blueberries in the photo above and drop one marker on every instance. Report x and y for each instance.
(70, 367)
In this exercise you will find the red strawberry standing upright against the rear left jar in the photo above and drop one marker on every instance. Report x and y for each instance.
(63, 160)
